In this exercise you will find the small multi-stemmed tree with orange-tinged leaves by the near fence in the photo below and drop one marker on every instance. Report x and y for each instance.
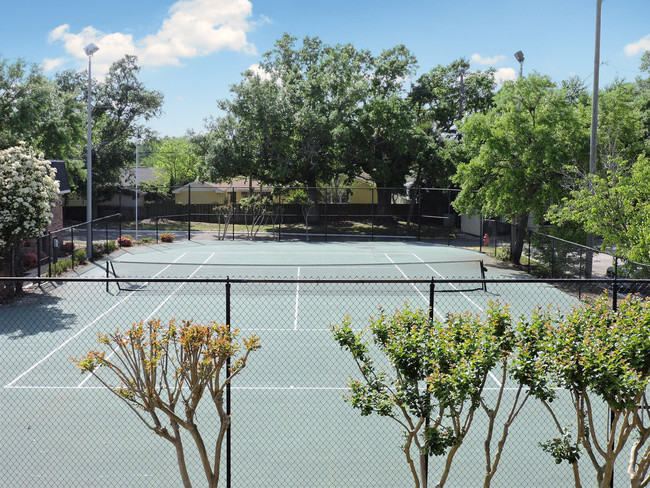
(163, 371)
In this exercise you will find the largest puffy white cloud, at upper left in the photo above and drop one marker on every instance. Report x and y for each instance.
(192, 28)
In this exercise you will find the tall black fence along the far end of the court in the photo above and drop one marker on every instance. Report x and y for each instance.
(275, 212)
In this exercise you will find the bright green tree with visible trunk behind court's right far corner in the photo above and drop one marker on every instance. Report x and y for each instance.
(521, 149)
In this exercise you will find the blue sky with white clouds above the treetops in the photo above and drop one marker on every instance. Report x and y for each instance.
(194, 50)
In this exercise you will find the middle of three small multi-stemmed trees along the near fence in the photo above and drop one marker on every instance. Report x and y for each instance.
(434, 386)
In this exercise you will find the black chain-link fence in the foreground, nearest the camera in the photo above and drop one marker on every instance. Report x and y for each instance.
(290, 423)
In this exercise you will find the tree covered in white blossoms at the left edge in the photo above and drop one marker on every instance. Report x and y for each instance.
(29, 191)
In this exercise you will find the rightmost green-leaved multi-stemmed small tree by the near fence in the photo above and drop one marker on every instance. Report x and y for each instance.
(601, 357)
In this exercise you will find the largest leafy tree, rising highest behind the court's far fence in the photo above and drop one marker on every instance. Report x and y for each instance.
(282, 125)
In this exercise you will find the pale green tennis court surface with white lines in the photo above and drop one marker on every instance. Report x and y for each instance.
(291, 426)
